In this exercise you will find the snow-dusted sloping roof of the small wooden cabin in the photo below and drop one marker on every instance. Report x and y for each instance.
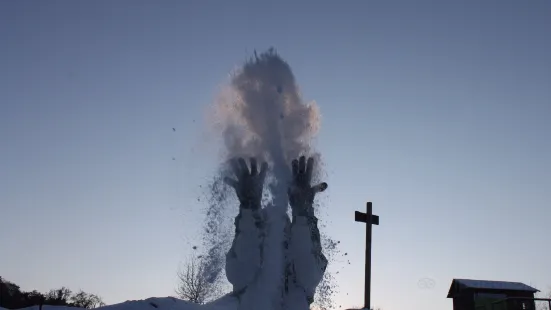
(459, 285)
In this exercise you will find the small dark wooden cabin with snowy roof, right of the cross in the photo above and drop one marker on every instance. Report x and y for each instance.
(491, 295)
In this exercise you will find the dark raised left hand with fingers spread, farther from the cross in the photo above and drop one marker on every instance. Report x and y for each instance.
(249, 184)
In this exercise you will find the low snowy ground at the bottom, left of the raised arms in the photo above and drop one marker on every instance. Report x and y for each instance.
(154, 303)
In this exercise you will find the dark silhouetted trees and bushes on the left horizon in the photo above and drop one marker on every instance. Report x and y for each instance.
(11, 297)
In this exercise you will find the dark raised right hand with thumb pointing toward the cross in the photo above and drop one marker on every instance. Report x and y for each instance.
(301, 194)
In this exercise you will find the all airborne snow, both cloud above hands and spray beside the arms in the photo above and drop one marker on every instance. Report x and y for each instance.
(259, 113)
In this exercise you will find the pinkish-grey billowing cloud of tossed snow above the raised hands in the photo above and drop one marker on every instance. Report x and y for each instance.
(261, 113)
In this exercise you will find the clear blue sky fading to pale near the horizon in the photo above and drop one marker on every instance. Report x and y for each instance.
(437, 111)
